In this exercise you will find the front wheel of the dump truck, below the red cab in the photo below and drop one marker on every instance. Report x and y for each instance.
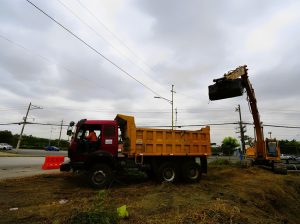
(100, 176)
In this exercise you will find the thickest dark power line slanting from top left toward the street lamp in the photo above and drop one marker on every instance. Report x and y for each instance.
(91, 47)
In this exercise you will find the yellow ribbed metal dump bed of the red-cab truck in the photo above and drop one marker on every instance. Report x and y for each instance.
(162, 142)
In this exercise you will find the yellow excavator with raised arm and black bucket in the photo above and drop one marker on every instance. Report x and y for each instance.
(265, 152)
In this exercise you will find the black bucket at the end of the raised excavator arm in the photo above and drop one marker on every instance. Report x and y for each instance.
(225, 88)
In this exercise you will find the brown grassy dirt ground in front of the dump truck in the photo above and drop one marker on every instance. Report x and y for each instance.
(227, 194)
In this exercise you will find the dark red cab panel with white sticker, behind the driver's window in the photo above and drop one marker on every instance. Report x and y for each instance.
(109, 139)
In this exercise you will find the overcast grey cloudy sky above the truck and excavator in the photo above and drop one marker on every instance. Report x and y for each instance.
(102, 58)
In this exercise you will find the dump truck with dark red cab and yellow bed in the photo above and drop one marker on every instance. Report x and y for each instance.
(167, 155)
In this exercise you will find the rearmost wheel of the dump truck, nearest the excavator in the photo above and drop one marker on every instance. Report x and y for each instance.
(191, 172)
